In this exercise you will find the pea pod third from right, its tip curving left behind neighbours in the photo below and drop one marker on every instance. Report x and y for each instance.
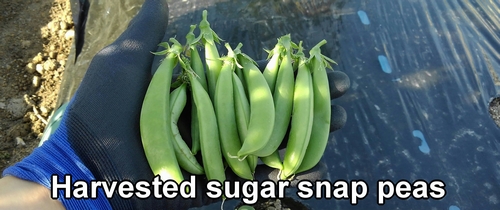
(283, 98)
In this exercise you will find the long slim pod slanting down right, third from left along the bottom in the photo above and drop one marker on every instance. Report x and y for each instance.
(209, 132)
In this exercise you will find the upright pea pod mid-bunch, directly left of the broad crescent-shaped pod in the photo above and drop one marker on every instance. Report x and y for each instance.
(228, 131)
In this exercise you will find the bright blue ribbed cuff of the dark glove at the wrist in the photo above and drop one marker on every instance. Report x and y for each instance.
(56, 157)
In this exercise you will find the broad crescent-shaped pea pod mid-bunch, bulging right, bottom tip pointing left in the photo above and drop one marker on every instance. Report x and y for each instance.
(262, 113)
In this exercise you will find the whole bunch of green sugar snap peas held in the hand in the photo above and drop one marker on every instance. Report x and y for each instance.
(239, 113)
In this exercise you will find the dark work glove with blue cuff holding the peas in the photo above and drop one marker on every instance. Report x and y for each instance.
(99, 137)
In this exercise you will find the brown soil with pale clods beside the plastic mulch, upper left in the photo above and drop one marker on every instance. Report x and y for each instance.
(35, 40)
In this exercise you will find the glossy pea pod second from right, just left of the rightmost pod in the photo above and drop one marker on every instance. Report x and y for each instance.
(302, 120)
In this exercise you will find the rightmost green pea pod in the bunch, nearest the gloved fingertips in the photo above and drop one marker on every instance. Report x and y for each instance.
(322, 109)
